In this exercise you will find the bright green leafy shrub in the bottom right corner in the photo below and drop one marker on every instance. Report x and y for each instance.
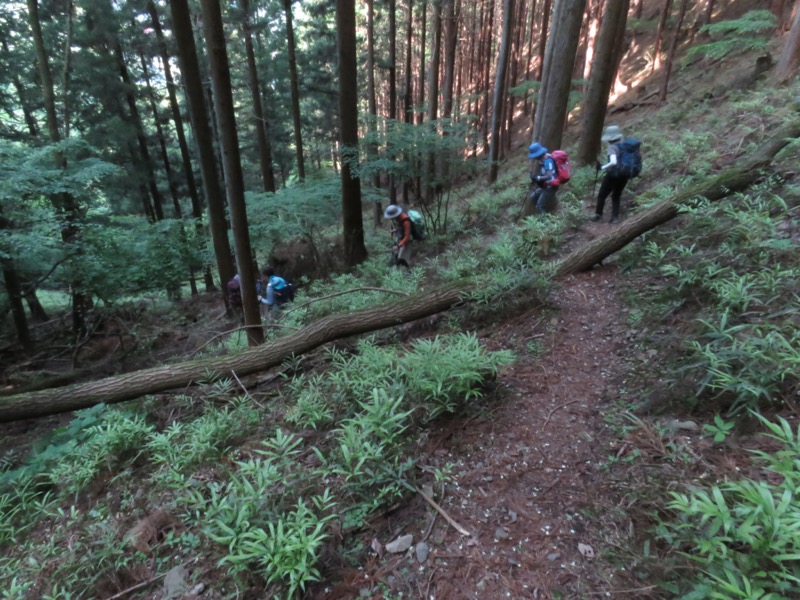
(743, 533)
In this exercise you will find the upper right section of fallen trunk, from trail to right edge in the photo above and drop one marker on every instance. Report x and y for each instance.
(729, 182)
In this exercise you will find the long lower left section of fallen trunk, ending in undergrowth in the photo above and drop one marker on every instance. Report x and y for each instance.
(150, 381)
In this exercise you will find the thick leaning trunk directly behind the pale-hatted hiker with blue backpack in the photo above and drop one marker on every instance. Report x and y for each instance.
(608, 52)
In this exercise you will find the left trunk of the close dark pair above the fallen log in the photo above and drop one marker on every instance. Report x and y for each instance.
(195, 96)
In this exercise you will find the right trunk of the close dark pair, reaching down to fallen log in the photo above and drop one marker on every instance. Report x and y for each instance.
(234, 179)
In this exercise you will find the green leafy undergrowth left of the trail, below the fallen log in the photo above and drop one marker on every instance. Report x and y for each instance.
(261, 500)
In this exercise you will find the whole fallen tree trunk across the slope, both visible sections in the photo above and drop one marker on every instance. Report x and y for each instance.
(149, 381)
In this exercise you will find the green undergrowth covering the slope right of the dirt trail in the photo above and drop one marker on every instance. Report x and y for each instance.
(716, 299)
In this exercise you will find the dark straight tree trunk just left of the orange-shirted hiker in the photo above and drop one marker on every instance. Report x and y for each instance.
(355, 252)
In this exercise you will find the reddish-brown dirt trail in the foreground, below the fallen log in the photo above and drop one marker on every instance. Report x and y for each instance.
(524, 476)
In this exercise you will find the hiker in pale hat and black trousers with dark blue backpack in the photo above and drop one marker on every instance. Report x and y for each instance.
(624, 162)
